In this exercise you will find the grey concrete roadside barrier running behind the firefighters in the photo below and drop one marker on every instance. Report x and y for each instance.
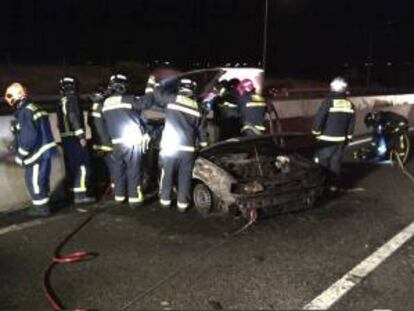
(14, 195)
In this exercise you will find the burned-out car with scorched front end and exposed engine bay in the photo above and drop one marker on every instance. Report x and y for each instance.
(239, 175)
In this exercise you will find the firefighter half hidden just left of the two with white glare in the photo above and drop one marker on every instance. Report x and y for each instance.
(101, 142)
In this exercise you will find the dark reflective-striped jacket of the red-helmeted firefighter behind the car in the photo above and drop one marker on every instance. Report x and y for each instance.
(253, 107)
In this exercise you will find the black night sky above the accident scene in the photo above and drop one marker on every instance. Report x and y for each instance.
(304, 36)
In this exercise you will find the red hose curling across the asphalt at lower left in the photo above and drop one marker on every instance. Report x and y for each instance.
(73, 257)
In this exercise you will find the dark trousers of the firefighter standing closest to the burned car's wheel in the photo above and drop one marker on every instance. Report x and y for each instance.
(182, 164)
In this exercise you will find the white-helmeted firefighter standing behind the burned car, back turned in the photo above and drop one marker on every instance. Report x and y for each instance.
(334, 124)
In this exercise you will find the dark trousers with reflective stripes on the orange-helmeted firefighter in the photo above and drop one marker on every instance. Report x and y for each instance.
(37, 181)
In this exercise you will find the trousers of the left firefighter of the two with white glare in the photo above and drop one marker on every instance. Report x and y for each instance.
(127, 172)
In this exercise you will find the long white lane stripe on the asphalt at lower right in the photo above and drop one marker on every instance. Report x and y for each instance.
(337, 290)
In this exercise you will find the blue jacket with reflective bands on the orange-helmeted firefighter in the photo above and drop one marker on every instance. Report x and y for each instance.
(34, 135)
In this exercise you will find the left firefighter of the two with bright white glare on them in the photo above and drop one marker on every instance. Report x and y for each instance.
(127, 130)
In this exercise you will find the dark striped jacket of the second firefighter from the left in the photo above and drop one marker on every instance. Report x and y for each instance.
(71, 121)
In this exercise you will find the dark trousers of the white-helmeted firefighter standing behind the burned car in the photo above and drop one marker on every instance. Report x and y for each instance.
(330, 157)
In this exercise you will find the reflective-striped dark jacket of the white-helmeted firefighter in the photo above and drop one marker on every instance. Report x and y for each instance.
(335, 119)
